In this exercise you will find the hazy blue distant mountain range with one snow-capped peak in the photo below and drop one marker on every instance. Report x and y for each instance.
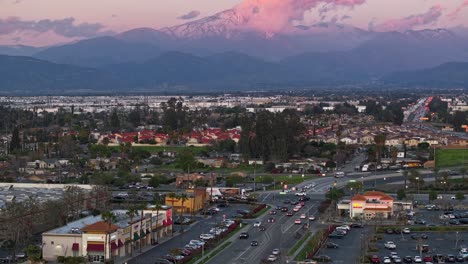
(218, 51)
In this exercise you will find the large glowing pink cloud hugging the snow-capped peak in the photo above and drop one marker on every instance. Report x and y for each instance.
(277, 15)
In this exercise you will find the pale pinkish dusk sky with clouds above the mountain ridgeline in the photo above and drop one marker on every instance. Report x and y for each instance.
(49, 22)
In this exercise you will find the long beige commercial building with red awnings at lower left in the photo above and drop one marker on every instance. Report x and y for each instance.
(97, 240)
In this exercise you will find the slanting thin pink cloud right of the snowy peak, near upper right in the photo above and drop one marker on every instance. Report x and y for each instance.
(409, 22)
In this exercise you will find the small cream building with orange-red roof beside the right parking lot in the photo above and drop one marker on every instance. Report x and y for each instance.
(368, 205)
